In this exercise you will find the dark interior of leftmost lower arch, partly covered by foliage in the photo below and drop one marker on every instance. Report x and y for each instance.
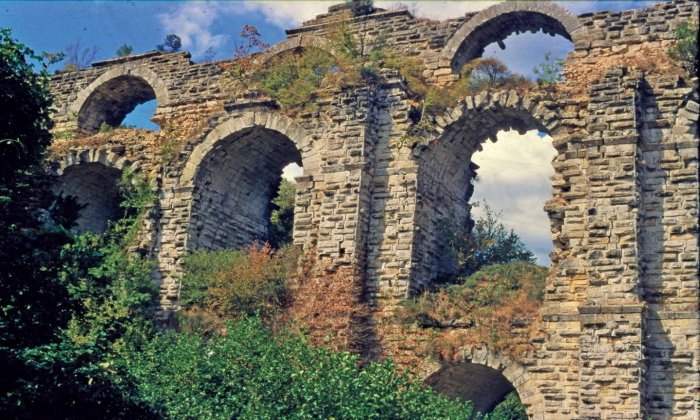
(96, 189)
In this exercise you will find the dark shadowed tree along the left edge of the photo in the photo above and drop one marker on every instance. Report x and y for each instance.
(28, 247)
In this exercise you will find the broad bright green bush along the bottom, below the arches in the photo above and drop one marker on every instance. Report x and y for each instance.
(248, 373)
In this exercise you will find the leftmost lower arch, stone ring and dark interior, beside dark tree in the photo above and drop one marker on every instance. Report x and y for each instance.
(92, 177)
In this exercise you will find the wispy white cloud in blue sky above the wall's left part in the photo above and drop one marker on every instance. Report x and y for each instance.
(192, 22)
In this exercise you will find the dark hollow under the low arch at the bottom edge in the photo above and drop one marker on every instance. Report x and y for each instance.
(484, 386)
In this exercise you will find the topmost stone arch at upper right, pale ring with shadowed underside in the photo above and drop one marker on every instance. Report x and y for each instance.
(497, 22)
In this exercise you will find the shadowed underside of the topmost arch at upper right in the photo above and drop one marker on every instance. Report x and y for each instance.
(499, 28)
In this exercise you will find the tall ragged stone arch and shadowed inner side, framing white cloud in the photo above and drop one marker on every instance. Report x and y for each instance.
(445, 169)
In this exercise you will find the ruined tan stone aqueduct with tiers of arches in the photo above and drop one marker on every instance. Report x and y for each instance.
(620, 314)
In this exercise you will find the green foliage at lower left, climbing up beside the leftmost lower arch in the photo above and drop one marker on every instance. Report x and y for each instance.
(106, 302)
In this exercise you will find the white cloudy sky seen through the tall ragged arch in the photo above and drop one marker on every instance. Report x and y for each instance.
(514, 179)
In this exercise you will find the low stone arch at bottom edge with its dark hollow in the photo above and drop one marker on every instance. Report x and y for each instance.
(485, 378)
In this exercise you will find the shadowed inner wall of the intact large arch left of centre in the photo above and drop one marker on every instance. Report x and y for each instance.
(234, 186)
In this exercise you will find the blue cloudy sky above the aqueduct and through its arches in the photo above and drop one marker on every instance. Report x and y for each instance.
(515, 187)
